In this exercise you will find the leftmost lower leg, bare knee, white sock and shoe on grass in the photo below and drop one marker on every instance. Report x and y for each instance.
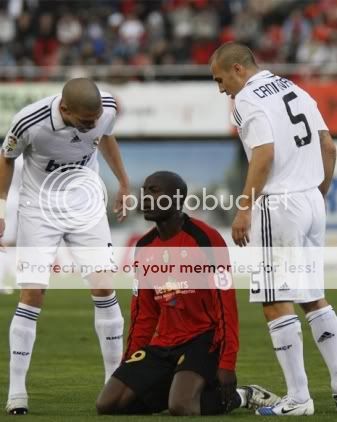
(22, 336)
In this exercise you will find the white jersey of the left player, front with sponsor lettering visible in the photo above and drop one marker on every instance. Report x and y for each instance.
(47, 144)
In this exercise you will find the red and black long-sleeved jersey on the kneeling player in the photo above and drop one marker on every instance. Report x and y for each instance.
(169, 307)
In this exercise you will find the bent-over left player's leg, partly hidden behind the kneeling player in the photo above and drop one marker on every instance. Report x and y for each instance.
(109, 322)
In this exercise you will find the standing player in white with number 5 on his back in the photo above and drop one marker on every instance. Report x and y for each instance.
(291, 154)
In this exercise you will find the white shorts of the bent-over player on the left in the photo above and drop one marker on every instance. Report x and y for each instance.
(38, 242)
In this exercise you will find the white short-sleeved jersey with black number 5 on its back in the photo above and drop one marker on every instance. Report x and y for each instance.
(272, 109)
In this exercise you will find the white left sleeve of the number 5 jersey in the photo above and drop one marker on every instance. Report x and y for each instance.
(253, 124)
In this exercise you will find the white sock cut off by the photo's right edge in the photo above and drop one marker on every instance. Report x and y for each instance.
(323, 324)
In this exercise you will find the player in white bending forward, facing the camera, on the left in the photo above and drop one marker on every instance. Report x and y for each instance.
(60, 136)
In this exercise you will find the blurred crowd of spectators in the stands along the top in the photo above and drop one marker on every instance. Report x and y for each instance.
(50, 33)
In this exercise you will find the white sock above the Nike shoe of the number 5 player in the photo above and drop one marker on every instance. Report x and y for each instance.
(286, 335)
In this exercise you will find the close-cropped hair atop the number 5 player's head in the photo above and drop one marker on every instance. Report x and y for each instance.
(231, 53)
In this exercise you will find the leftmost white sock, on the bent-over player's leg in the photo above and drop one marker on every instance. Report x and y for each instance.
(22, 335)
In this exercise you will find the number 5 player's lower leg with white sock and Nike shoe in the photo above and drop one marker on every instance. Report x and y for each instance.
(286, 335)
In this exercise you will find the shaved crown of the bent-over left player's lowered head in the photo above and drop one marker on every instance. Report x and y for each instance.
(81, 94)
